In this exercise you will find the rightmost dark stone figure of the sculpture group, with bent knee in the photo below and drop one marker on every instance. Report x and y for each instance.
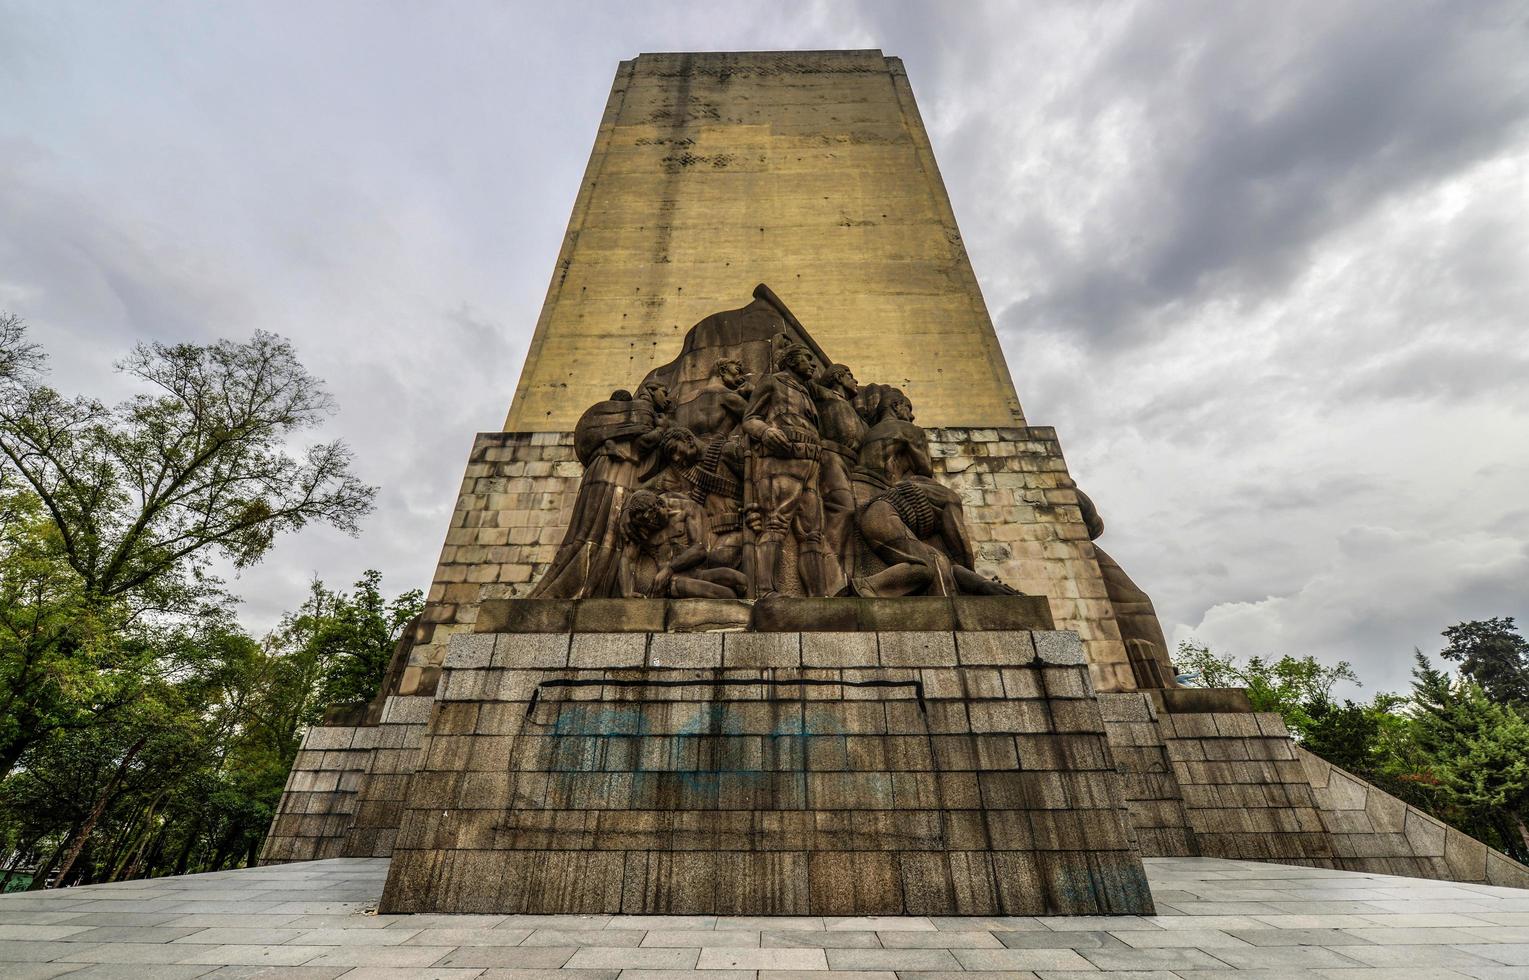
(911, 522)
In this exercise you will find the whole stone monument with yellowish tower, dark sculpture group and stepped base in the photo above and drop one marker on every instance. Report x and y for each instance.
(768, 600)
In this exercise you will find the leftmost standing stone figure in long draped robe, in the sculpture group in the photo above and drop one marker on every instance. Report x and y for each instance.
(612, 438)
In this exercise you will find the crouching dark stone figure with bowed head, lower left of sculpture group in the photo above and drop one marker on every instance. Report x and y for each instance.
(666, 551)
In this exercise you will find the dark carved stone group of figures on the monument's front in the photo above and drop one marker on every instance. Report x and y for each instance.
(791, 481)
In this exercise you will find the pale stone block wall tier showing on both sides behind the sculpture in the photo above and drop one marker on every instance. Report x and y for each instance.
(1024, 516)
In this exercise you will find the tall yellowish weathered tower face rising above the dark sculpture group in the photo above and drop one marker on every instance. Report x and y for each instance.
(807, 170)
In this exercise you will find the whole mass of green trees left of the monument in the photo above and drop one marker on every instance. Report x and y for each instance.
(141, 730)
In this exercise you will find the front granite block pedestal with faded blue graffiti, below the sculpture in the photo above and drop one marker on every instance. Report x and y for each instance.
(904, 773)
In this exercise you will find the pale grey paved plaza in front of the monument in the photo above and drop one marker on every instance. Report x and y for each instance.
(1216, 920)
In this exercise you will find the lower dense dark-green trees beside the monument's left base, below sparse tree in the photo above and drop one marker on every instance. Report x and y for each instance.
(189, 774)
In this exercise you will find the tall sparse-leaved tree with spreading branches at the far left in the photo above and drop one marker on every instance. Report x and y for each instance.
(144, 496)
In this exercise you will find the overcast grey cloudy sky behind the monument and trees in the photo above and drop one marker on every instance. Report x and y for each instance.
(1264, 265)
